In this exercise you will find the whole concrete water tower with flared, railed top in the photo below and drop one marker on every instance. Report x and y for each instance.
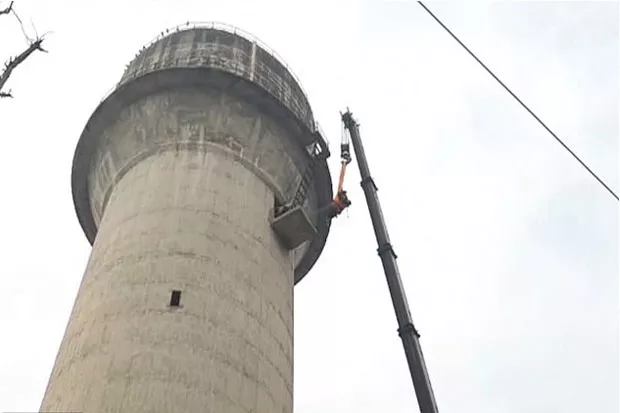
(186, 304)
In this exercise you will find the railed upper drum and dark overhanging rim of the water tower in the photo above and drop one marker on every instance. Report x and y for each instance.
(213, 55)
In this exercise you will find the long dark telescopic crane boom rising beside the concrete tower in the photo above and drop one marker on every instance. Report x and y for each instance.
(406, 329)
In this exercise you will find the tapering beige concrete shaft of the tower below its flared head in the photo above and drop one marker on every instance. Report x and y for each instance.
(192, 222)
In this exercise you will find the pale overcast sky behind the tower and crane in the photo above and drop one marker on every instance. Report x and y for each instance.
(508, 249)
